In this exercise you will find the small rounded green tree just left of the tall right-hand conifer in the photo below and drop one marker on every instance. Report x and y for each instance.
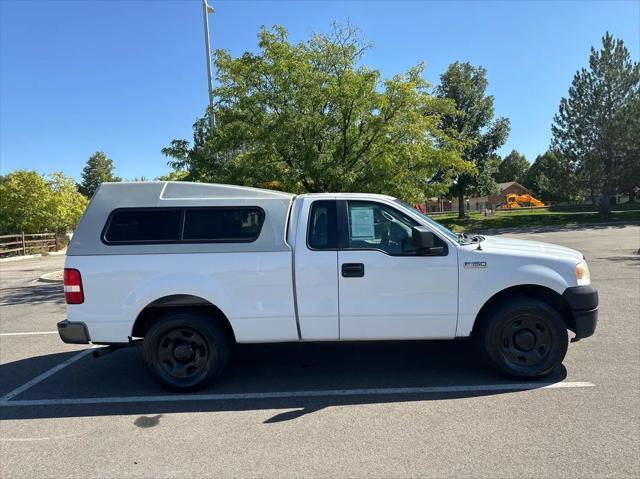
(551, 177)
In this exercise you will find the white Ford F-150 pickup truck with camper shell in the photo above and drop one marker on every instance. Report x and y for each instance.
(194, 268)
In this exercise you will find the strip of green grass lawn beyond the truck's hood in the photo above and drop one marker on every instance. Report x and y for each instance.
(535, 218)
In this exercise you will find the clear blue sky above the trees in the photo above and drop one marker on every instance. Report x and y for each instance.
(127, 77)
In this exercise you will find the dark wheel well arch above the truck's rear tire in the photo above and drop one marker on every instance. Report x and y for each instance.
(153, 312)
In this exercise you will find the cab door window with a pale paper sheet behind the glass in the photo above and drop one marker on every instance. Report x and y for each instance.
(379, 227)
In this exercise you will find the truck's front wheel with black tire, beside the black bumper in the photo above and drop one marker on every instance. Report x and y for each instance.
(523, 338)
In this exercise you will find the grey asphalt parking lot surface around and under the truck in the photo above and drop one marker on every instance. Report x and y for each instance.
(400, 409)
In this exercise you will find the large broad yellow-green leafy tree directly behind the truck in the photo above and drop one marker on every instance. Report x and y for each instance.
(311, 117)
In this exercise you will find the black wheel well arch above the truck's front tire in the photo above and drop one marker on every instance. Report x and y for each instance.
(541, 293)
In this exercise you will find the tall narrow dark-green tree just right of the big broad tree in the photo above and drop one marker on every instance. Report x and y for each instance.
(472, 124)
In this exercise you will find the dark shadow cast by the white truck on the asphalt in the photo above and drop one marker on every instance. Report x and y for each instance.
(267, 368)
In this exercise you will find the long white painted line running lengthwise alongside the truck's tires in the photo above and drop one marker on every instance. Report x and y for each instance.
(297, 394)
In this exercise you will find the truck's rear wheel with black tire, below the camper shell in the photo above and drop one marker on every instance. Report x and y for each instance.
(185, 350)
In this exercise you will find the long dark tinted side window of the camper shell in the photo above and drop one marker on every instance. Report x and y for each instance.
(183, 225)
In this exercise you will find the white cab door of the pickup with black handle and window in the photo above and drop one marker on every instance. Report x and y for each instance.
(386, 289)
